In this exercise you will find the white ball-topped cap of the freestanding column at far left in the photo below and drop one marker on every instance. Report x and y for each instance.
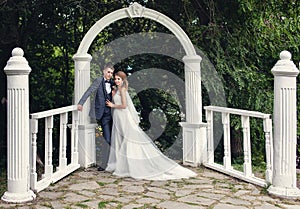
(17, 64)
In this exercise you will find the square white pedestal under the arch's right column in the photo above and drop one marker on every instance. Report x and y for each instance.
(194, 143)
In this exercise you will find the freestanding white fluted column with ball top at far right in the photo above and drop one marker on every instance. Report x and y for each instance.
(285, 128)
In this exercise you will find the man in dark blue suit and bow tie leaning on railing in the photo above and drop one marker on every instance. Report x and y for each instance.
(103, 88)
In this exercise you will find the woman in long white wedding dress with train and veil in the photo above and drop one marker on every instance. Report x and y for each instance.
(133, 153)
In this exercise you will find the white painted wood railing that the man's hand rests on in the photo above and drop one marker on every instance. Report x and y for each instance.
(63, 168)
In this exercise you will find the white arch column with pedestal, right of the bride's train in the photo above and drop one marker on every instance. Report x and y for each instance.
(194, 131)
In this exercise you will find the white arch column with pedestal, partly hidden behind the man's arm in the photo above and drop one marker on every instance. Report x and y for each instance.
(86, 130)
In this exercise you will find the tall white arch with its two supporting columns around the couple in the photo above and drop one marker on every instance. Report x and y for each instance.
(191, 61)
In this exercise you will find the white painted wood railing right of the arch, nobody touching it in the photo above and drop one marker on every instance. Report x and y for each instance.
(247, 174)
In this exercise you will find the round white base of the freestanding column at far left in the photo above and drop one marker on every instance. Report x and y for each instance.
(18, 197)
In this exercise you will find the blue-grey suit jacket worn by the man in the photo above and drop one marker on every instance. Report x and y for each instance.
(98, 103)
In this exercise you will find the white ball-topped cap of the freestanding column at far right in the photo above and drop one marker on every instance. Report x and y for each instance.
(284, 66)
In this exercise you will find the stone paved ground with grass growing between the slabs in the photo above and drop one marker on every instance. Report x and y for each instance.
(209, 190)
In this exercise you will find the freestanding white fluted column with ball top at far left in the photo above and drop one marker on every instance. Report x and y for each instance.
(18, 166)
